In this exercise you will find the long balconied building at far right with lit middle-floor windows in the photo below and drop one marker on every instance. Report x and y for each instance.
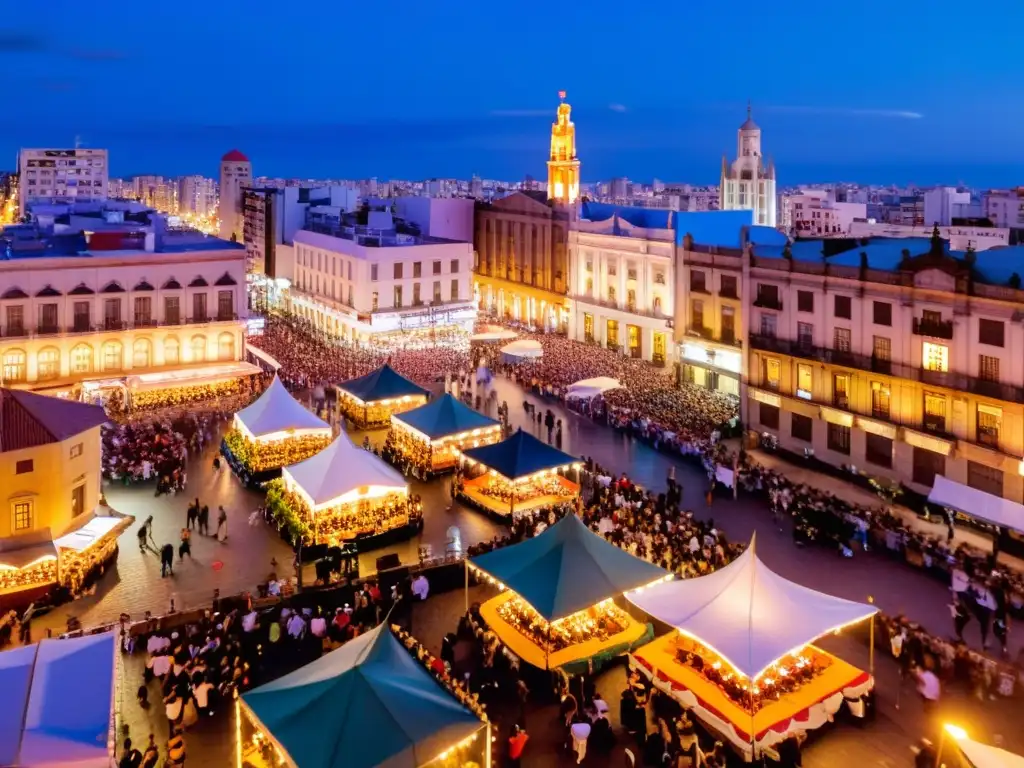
(906, 373)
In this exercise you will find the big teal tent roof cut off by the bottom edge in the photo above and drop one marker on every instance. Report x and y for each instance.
(367, 704)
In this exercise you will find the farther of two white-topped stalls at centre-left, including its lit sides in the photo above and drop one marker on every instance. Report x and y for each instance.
(273, 433)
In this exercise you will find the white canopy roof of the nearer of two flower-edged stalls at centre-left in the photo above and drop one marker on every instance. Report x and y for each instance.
(343, 474)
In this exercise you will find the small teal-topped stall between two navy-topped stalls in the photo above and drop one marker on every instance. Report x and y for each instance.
(431, 438)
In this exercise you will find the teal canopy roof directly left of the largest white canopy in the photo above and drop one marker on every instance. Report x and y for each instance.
(568, 569)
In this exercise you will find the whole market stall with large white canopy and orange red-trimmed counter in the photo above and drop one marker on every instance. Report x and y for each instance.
(743, 660)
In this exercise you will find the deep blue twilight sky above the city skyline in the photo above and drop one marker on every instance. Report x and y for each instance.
(874, 92)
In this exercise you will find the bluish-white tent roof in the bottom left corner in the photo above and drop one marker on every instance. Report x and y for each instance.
(58, 703)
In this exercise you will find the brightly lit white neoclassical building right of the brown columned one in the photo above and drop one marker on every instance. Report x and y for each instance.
(622, 281)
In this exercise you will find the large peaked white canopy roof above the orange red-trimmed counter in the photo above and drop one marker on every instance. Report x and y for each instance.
(749, 615)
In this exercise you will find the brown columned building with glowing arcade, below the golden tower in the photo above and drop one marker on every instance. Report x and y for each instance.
(522, 262)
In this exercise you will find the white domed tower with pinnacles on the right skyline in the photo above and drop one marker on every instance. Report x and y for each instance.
(748, 184)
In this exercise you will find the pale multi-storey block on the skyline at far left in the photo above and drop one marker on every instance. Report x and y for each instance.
(62, 177)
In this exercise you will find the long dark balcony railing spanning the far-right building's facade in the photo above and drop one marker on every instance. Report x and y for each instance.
(948, 379)
